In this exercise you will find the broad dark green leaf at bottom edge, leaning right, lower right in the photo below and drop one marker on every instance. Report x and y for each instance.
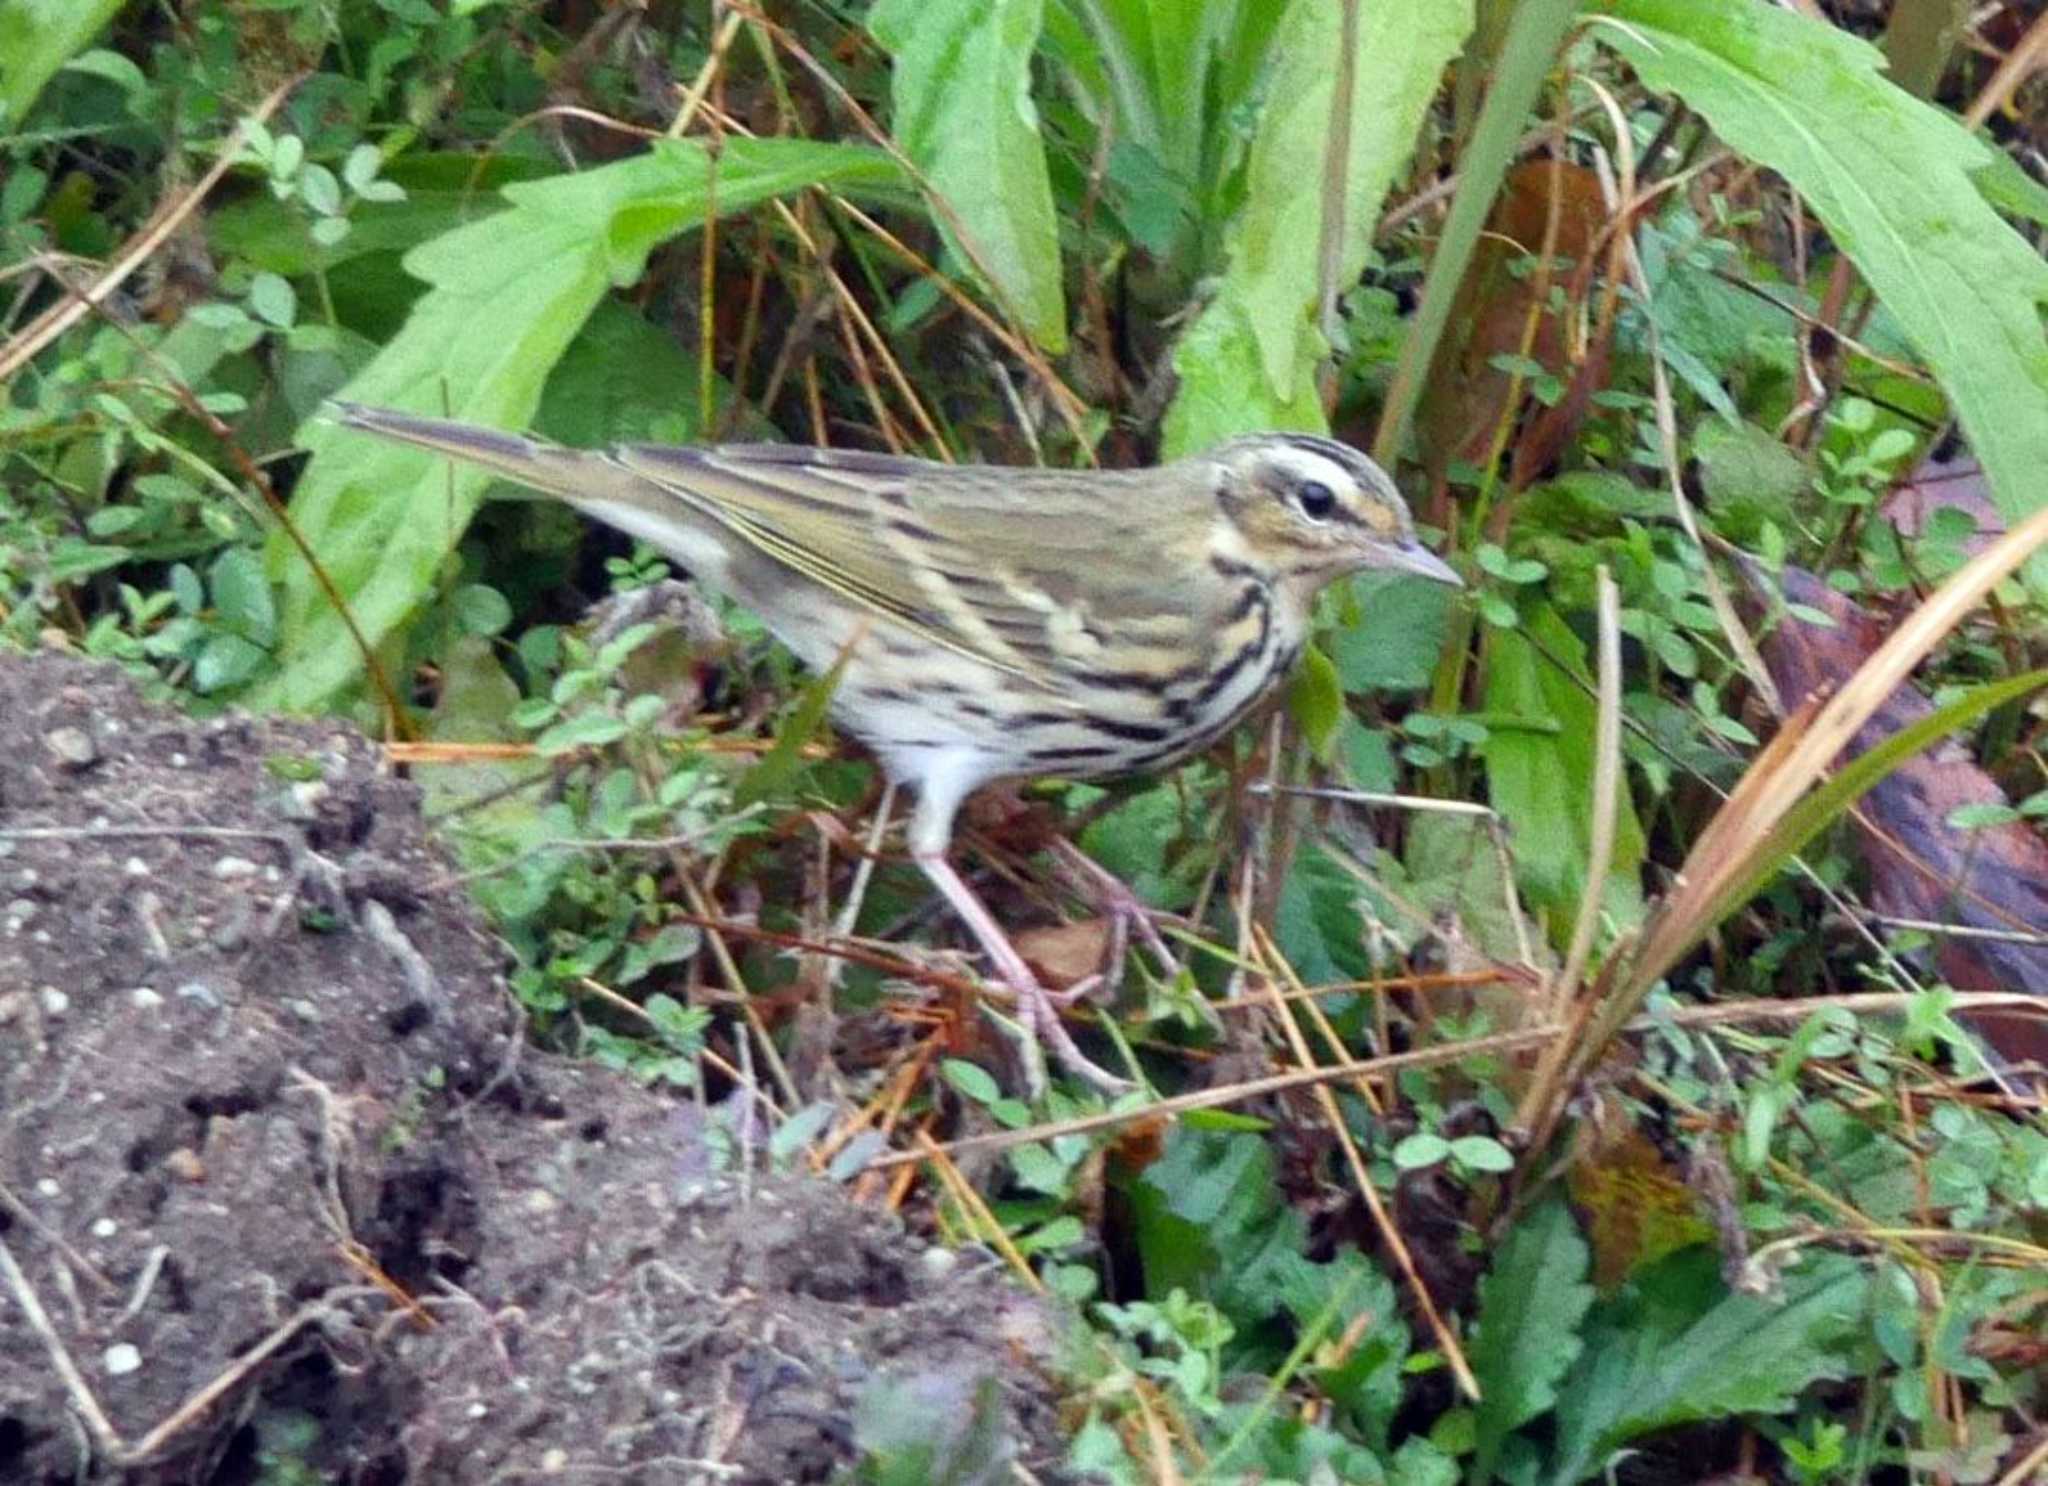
(1678, 1348)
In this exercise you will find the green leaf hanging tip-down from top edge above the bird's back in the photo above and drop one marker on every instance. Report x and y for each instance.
(964, 112)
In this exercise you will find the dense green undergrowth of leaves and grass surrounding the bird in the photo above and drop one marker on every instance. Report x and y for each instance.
(1676, 1131)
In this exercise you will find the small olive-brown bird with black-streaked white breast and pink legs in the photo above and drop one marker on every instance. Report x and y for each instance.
(992, 623)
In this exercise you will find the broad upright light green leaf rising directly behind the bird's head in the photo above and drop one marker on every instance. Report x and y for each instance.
(1250, 361)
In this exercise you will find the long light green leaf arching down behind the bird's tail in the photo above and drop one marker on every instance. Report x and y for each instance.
(509, 296)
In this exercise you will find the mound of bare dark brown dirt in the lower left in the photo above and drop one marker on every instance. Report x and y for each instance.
(286, 1198)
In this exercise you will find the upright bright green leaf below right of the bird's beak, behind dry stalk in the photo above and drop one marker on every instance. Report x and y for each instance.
(1541, 779)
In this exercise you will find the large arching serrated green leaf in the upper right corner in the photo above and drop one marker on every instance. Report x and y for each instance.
(1893, 181)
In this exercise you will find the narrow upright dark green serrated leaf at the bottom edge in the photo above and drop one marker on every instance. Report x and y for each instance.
(1531, 1307)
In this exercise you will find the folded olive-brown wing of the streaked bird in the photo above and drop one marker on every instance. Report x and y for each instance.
(1007, 566)
